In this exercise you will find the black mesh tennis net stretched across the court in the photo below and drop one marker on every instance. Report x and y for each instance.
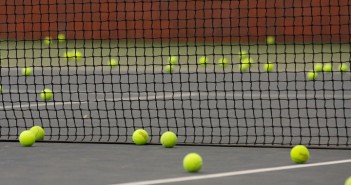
(197, 68)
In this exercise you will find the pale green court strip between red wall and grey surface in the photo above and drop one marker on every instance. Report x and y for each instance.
(151, 56)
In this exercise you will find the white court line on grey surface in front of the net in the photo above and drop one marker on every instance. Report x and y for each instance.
(234, 173)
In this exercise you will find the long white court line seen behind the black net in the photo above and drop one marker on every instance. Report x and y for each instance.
(190, 94)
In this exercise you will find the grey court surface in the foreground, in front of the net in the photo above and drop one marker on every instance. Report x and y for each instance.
(53, 163)
